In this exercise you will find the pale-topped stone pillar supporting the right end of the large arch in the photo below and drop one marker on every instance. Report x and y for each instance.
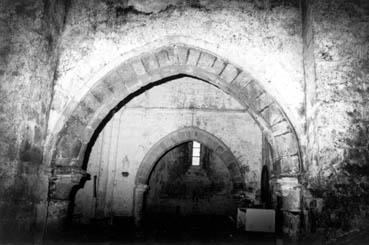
(289, 190)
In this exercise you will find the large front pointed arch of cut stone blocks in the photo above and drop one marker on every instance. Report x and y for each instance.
(66, 148)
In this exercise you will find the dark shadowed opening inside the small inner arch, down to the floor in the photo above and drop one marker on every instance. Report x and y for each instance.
(187, 195)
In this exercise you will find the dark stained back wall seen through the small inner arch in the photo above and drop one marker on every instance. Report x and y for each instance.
(177, 188)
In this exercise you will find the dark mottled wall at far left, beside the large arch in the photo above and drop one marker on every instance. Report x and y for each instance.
(28, 36)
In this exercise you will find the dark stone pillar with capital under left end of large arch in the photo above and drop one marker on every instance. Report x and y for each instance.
(60, 196)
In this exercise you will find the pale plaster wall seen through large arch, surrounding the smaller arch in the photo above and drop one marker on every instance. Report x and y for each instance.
(149, 117)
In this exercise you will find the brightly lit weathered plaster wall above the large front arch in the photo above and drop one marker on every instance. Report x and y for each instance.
(101, 34)
